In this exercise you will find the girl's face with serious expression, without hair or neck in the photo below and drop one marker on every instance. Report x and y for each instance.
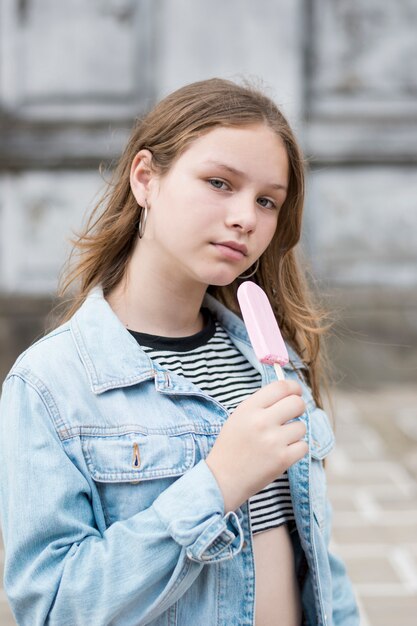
(215, 211)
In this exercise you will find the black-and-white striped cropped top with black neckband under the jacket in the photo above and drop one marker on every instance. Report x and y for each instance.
(213, 363)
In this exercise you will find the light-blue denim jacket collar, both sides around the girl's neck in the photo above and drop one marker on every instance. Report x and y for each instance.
(113, 358)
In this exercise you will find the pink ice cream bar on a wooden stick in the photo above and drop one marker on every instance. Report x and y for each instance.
(262, 326)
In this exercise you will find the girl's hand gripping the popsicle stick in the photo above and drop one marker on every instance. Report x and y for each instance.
(256, 444)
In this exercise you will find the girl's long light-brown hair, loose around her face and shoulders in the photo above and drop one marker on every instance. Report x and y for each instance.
(106, 244)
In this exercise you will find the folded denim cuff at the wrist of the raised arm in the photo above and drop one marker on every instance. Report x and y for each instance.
(192, 509)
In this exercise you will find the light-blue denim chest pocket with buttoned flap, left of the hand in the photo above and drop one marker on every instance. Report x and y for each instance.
(130, 470)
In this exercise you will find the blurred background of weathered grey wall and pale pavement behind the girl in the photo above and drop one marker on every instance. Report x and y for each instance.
(74, 75)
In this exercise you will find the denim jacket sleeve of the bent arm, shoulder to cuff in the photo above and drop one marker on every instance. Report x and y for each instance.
(60, 569)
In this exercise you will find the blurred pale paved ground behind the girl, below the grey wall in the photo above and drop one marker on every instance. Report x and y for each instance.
(372, 476)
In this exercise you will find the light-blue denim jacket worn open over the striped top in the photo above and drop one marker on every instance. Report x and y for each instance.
(110, 514)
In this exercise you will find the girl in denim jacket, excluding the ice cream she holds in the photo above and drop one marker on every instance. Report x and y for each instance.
(152, 471)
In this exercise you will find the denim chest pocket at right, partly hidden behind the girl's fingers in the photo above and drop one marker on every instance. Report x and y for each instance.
(321, 444)
